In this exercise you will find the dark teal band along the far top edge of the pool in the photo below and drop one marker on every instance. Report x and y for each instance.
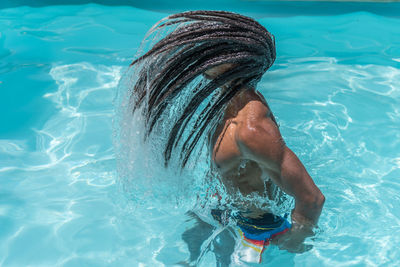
(257, 9)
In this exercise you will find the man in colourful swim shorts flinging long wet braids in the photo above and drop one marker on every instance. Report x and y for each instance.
(200, 81)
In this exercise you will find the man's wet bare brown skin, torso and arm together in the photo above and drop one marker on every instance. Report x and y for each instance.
(249, 133)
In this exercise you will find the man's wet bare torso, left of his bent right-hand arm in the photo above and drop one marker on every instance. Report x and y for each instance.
(239, 172)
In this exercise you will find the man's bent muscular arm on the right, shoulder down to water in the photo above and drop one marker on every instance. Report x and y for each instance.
(262, 142)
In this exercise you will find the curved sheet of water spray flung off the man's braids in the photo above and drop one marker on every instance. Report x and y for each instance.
(140, 158)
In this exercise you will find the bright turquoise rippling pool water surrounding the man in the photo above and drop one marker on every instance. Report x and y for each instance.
(334, 88)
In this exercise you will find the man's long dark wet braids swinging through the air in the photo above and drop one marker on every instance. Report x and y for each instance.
(171, 72)
